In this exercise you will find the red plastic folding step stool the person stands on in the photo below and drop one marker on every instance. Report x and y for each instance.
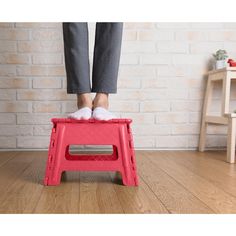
(115, 132)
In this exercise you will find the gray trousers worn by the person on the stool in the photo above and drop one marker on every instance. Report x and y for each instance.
(106, 57)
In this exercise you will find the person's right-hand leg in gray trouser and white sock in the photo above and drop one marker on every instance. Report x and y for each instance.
(106, 60)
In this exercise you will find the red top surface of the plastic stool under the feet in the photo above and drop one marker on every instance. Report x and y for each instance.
(69, 120)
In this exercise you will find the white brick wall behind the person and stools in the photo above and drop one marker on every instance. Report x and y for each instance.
(160, 86)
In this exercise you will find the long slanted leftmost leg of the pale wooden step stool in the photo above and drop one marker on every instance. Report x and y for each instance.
(206, 105)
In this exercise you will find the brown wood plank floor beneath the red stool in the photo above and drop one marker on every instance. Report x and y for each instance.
(170, 182)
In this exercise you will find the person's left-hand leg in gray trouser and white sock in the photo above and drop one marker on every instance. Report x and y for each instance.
(75, 36)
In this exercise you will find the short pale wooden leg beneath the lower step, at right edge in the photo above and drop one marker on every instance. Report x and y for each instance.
(231, 140)
